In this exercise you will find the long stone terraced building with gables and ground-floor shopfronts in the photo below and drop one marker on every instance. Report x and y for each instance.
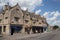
(15, 20)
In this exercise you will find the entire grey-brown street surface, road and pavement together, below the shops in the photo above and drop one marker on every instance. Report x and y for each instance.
(55, 35)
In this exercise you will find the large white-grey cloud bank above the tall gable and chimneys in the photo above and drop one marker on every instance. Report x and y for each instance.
(30, 4)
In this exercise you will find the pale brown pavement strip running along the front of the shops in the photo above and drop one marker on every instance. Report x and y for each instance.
(19, 36)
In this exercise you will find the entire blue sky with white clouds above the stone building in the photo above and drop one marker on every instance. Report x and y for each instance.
(50, 9)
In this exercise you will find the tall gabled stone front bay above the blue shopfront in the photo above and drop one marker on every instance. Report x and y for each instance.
(16, 14)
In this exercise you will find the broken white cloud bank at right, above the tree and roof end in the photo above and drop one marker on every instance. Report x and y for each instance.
(52, 17)
